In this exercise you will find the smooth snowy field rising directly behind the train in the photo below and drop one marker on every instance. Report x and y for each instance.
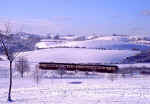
(78, 55)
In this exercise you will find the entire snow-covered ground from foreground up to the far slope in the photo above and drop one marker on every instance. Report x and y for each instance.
(80, 87)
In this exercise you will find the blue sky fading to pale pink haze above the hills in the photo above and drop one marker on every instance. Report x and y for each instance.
(78, 16)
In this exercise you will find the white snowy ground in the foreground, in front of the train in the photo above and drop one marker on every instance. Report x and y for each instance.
(107, 89)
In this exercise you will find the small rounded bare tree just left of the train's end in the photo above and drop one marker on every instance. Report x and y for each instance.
(22, 65)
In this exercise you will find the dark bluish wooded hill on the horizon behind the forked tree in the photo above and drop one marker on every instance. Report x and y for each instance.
(20, 42)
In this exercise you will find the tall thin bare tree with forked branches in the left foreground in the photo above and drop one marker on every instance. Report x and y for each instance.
(9, 44)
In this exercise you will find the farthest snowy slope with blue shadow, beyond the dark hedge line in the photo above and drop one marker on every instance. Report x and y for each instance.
(104, 42)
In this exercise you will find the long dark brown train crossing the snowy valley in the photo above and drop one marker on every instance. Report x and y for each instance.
(78, 67)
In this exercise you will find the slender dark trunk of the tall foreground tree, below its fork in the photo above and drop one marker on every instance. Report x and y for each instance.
(10, 79)
